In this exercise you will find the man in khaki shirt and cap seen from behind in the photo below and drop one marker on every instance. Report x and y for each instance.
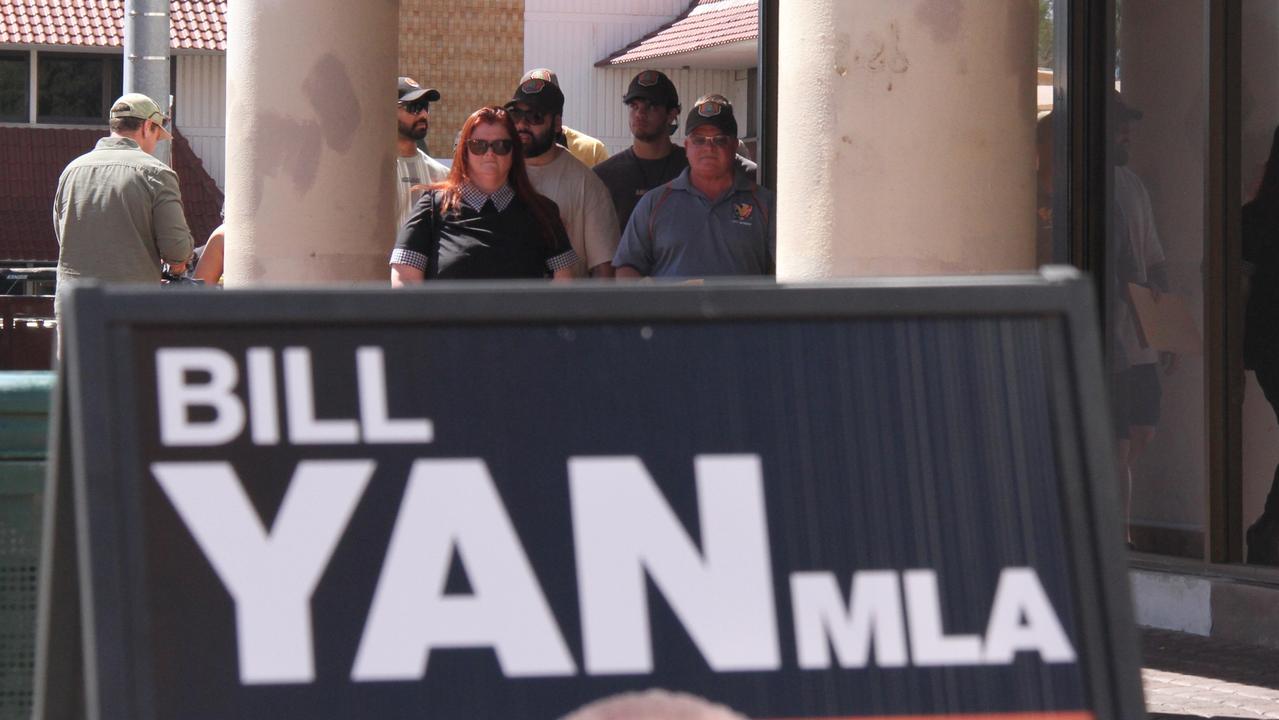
(118, 210)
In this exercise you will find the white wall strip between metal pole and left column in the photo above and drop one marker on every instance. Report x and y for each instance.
(200, 98)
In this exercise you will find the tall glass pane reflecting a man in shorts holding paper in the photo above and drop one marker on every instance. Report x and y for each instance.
(1154, 273)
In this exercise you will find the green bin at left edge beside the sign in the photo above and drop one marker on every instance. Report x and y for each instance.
(25, 402)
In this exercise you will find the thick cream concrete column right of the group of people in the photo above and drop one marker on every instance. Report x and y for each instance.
(906, 137)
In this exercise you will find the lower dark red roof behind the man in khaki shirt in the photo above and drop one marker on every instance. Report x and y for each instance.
(31, 160)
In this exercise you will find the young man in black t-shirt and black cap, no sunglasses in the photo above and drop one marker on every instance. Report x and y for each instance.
(652, 159)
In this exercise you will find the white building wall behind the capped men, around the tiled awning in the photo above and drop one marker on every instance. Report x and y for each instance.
(570, 36)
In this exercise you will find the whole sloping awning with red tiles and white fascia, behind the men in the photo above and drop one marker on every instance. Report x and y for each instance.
(710, 35)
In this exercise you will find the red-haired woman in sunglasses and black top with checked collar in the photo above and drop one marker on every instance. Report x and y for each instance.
(485, 221)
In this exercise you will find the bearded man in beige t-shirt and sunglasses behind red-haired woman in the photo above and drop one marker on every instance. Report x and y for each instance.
(584, 203)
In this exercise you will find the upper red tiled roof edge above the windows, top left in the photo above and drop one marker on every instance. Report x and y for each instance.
(198, 25)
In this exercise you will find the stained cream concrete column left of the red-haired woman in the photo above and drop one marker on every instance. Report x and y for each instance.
(310, 141)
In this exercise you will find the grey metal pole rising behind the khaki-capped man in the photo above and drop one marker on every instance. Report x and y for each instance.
(146, 56)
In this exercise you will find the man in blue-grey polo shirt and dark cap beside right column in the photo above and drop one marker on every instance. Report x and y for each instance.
(710, 221)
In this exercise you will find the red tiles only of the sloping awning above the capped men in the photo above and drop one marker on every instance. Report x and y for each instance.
(707, 24)
